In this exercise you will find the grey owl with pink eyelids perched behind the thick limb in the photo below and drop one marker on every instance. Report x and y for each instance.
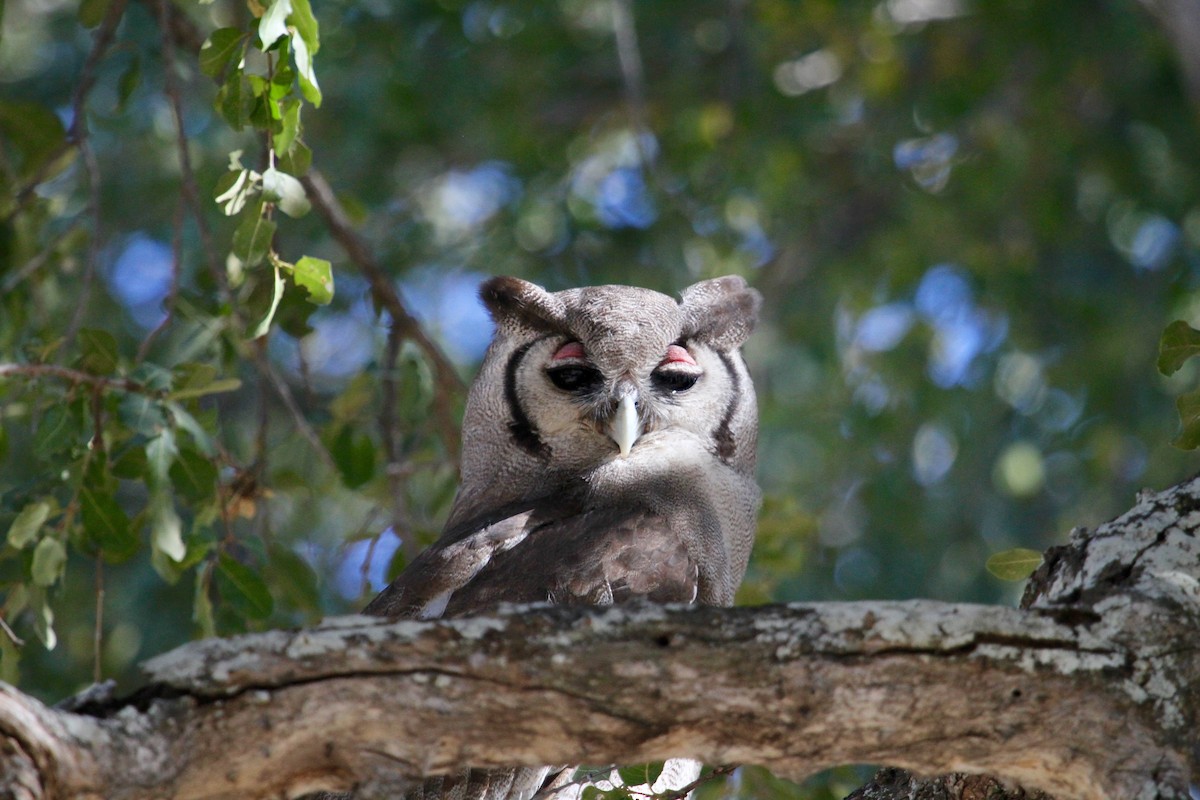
(609, 455)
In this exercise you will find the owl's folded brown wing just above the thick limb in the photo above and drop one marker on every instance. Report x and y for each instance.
(549, 551)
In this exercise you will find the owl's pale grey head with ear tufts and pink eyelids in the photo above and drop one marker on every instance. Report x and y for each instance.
(607, 381)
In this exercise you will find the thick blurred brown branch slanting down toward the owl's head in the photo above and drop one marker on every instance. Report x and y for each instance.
(448, 383)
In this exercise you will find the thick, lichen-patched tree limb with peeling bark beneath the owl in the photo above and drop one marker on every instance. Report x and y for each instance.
(1088, 691)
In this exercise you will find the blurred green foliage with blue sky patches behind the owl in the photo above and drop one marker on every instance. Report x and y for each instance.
(970, 220)
